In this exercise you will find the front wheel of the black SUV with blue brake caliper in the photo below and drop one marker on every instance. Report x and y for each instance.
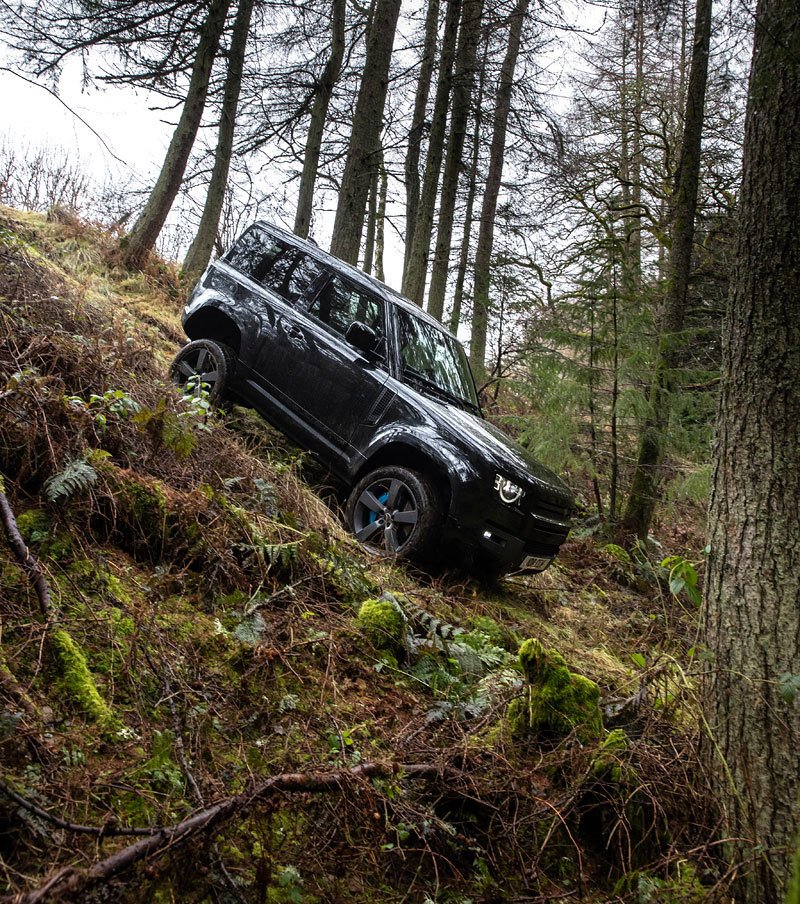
(395, 511)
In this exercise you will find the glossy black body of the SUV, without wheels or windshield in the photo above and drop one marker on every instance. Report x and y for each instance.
(353, 407)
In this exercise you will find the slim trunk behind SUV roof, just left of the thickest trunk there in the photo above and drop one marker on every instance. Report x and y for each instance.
(319, 112)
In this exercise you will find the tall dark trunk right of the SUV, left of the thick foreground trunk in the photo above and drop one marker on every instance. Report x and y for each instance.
(644, 492)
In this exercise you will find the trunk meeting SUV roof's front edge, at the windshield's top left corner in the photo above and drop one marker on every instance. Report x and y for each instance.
(417, 267)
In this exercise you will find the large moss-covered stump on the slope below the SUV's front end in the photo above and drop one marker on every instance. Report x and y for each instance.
(557, 701)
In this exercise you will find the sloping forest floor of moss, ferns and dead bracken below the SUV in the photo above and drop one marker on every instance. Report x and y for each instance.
(205, 651)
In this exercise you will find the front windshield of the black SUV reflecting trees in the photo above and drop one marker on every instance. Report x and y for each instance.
(435, 358)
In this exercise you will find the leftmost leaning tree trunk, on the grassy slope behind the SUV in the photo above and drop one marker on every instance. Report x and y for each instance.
(142, 237)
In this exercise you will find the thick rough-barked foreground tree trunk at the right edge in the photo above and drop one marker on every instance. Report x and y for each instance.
(752, 620)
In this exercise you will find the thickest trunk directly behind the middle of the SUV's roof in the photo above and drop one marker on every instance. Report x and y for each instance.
(363, 149)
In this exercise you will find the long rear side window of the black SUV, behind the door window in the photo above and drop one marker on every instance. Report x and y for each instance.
(275, 265)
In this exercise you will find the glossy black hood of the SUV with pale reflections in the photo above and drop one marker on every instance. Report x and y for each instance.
(507, 456)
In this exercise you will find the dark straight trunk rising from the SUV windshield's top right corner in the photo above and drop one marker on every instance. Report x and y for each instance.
(462, 95)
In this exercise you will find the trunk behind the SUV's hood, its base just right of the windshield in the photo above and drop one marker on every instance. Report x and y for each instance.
(483, 253)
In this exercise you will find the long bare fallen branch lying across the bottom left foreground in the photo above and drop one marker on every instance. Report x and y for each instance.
(71, 883)
